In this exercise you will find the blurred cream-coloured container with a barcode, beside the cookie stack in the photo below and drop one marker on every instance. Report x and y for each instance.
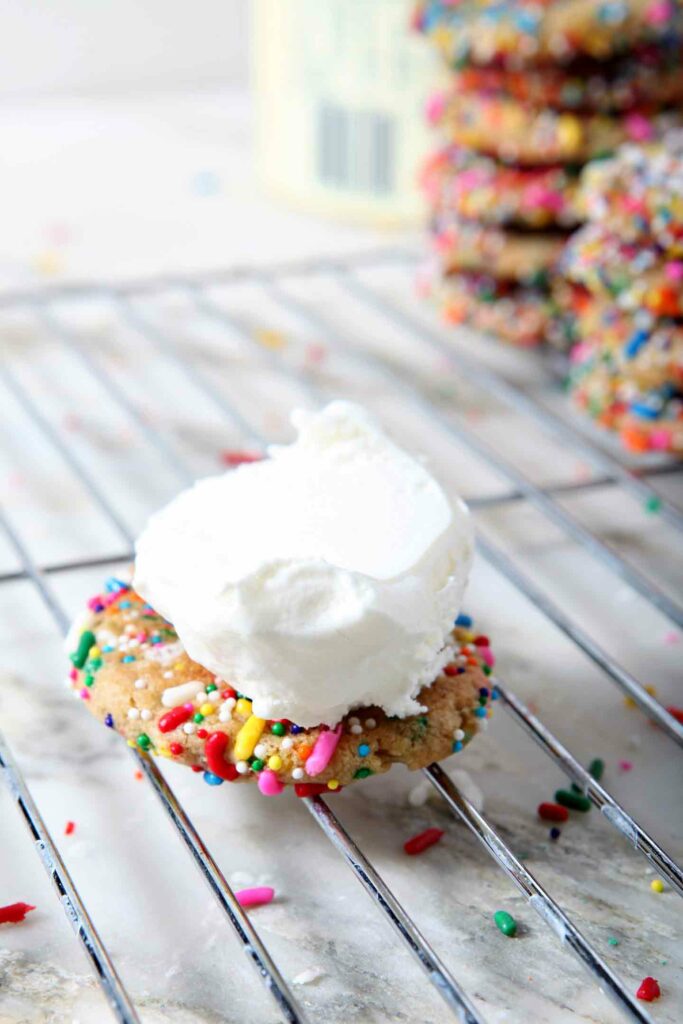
(340, 93)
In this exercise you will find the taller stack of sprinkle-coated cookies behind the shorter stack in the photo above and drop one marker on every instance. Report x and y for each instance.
(536, 91)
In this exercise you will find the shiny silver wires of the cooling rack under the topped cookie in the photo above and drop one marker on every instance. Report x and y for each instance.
(609, 468)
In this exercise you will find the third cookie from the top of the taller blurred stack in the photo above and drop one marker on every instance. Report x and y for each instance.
(521, 134)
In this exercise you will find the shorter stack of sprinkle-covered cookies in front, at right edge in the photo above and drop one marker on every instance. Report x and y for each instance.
(625, 292)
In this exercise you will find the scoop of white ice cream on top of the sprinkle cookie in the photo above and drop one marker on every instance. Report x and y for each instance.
(323, 579)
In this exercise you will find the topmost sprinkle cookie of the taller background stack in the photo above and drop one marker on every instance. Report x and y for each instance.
(523, 33)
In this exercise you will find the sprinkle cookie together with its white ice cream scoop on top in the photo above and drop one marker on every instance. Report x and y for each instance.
(291, 622)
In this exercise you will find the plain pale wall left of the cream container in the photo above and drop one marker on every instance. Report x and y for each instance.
(61, 47)
